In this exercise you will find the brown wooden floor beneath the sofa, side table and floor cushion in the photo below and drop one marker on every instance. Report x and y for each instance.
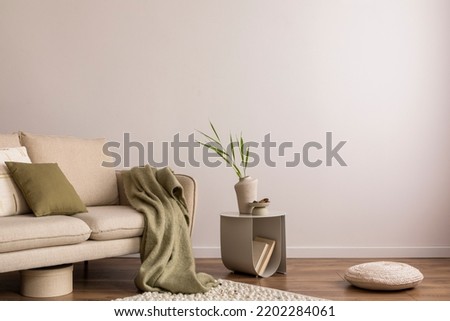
(113, 278)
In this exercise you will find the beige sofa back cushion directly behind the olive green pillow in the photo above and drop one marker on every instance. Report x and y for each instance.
(80, 160)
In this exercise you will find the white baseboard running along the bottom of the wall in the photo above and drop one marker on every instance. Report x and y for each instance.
(346, 252)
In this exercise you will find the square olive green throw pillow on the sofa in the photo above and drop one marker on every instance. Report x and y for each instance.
(46, 189)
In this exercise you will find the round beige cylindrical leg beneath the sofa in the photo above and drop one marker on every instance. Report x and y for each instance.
(47, 282)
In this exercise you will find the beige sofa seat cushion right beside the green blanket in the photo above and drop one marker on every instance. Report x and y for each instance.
(113, 222)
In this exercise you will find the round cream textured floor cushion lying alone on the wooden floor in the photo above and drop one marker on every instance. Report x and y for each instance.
(384, 275)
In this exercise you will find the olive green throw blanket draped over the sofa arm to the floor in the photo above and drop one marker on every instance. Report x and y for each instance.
(167, 261)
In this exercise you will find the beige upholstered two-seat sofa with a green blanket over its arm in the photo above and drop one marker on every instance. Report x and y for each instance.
(109, 228)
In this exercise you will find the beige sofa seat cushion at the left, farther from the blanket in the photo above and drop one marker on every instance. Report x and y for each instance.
(22, 232)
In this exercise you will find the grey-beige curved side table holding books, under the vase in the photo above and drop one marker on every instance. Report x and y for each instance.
(237, 232)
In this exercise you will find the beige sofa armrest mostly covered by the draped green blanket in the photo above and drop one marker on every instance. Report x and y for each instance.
(190, 194)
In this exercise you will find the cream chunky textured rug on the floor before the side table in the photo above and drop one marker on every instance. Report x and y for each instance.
(226, 291)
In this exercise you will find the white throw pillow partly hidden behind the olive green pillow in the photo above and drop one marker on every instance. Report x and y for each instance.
(11, 198)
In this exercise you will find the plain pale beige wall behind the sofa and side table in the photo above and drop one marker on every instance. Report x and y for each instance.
(375, 73)
